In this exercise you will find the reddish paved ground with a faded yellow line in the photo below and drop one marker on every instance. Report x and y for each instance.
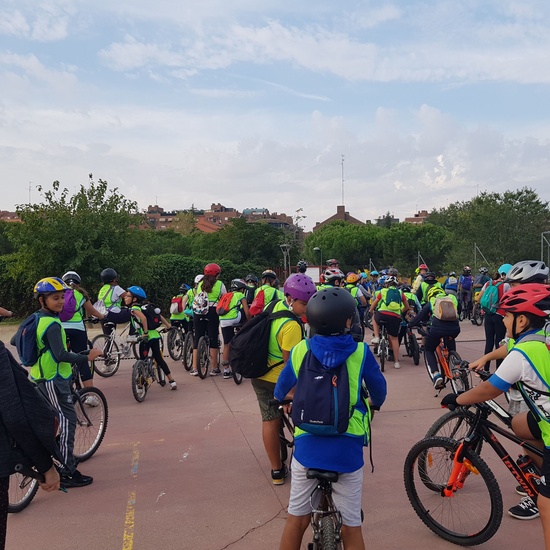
(186, 469)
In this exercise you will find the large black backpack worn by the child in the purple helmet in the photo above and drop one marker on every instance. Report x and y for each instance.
(250, 346)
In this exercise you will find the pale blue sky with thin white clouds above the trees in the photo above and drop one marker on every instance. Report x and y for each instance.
(296, 107)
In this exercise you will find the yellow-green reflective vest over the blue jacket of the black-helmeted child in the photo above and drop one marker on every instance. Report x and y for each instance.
(358, 425)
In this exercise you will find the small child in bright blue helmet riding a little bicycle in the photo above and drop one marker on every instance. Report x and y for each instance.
(133, 300)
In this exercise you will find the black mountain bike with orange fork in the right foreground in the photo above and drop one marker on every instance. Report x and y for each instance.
(453, 490)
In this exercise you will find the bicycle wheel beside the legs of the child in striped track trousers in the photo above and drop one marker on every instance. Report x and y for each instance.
(92, 416)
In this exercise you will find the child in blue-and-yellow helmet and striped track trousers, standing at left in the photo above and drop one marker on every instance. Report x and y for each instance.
(53, 372)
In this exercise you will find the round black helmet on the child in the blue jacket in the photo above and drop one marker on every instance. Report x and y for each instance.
(329, 309)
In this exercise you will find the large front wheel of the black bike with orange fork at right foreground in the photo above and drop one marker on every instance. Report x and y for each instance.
(472, 515)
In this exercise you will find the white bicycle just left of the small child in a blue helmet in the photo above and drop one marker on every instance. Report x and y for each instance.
(114, 347)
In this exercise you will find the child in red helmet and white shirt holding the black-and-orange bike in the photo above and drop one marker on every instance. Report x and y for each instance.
(526, 309)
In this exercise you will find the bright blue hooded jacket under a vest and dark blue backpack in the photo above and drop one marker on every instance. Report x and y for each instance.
(338, 453)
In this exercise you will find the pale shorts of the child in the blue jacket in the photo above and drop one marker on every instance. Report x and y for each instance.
(346, 493)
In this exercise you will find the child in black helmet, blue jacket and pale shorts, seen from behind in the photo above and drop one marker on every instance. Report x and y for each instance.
(330, 314)
